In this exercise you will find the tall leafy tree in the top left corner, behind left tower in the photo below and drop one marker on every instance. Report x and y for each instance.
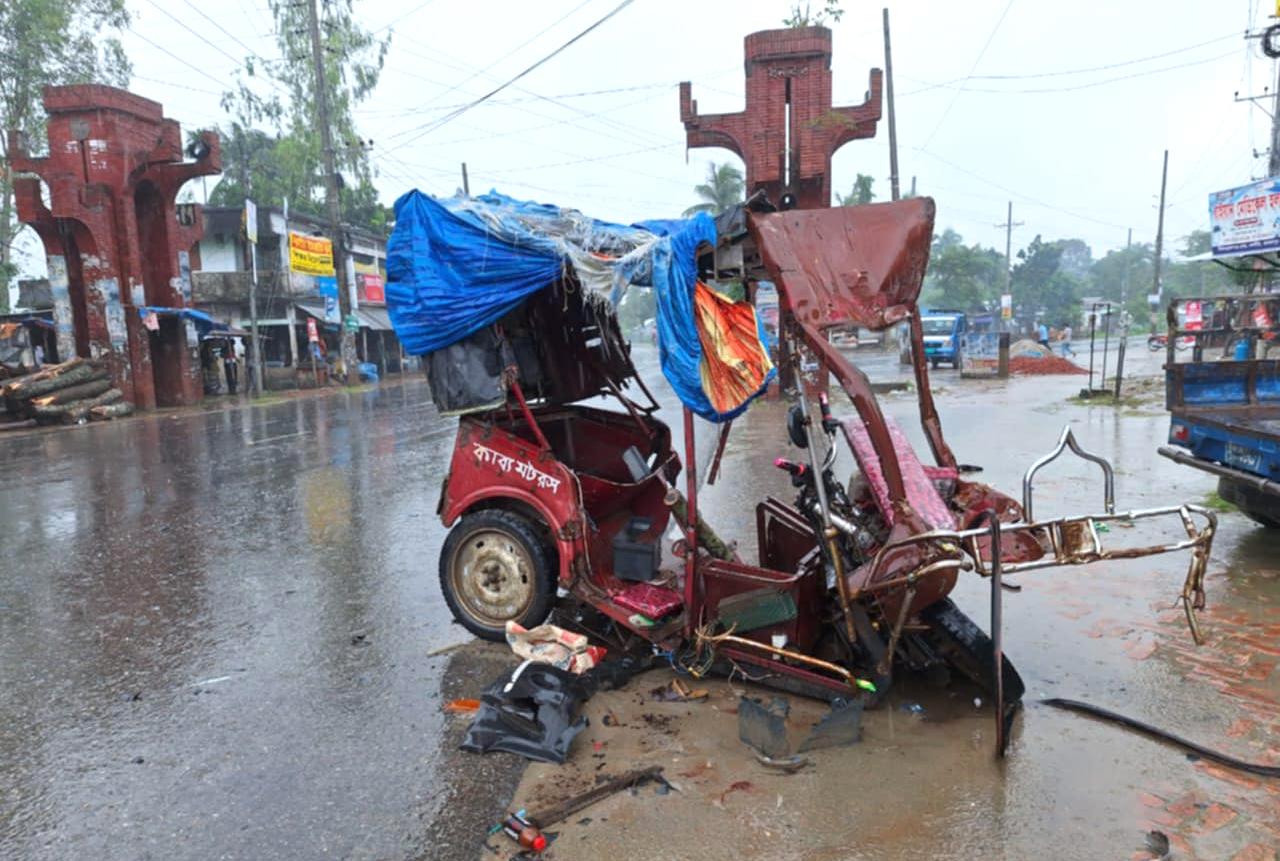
(49, 43)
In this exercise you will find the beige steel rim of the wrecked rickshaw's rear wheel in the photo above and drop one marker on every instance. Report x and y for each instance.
(493, 578)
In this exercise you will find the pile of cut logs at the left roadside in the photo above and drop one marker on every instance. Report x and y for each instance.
(71, 393)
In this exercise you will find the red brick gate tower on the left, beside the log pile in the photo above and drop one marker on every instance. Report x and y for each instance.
(115, 237)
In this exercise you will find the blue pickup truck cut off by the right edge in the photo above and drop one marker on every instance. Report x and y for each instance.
(1224, 402)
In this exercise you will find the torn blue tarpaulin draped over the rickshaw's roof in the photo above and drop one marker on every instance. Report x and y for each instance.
(458, 265)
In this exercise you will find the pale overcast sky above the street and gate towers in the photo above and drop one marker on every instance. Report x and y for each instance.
(1064, 108)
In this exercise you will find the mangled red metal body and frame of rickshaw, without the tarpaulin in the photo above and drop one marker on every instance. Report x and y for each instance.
(849, 581)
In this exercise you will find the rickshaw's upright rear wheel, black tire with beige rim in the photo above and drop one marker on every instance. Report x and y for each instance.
(495, 569)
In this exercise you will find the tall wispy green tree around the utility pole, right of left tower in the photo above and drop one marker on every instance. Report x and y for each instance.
(290, 163)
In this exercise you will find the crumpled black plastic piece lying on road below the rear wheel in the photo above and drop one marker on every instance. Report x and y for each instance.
(533, 713)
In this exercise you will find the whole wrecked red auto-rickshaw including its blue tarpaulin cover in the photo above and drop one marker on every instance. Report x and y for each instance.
(514, 306)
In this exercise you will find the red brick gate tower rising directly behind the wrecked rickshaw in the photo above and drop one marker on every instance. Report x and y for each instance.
(789, 131)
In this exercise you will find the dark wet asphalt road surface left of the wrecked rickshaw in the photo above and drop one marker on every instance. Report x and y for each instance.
(214, 633)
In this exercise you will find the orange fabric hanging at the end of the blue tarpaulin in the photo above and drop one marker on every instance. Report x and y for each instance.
(734, 360)
